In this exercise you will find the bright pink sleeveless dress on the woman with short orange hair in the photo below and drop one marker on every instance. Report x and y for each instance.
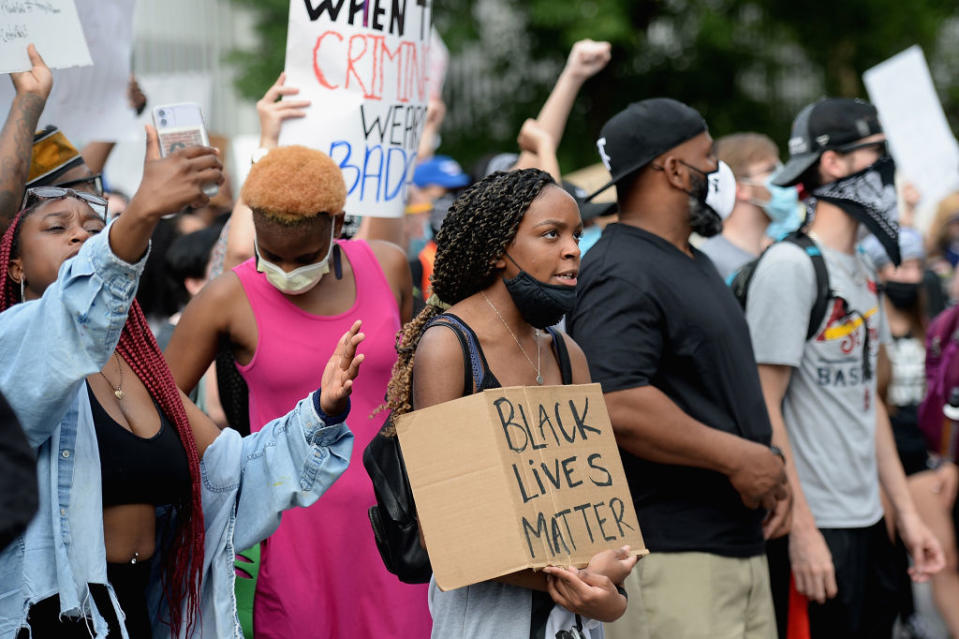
(321, 575)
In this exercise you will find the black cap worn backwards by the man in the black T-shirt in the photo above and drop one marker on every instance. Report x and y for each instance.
(642, 131)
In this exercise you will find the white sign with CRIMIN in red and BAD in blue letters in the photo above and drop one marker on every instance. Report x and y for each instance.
(364, 66)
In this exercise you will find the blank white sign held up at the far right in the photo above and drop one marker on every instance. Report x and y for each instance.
(921, 141)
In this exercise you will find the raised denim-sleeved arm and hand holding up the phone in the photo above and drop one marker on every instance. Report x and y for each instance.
(73, 328)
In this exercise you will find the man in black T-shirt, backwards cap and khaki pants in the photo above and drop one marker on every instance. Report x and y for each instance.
(665, 337)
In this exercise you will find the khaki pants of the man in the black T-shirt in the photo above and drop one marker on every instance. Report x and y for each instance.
(696, 595)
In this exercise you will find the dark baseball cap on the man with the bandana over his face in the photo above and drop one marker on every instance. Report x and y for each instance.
(826, 125)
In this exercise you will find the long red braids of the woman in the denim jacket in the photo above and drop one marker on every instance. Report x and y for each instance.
(138, 347)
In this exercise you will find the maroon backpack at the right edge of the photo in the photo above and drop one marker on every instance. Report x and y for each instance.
(942, 375)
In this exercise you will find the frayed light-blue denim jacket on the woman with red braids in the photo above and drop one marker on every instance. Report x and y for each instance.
(47, 348)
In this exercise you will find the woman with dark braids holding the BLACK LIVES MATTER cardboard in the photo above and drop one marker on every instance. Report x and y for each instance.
(505, 271)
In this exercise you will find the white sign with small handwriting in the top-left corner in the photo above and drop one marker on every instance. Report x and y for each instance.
(52, 25)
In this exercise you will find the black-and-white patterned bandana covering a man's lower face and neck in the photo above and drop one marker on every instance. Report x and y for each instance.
(869, 197)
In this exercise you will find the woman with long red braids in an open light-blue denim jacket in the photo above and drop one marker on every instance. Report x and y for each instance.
(142, 498)
